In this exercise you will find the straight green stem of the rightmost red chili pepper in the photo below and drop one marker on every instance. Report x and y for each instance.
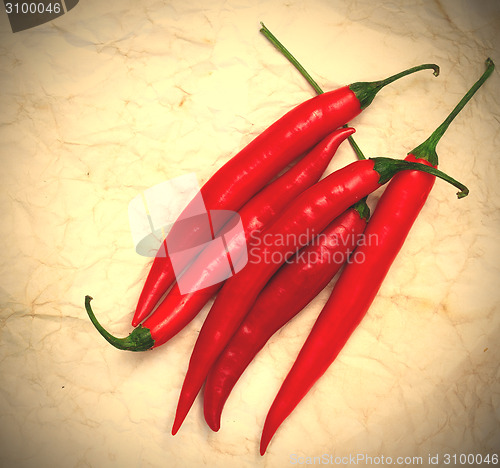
(427, 149)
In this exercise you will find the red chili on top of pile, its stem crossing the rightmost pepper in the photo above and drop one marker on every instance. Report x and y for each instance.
(310, 212)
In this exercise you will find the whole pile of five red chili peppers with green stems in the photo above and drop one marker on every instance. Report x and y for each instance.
(257, 301)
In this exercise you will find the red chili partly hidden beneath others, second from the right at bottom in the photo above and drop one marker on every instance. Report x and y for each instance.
(293, 286)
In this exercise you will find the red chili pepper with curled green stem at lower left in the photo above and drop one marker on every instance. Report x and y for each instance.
(177, 309)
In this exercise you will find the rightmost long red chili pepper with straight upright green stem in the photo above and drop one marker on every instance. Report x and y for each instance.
(359, 283)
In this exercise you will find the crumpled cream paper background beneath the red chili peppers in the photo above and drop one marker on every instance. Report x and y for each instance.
(115, 97)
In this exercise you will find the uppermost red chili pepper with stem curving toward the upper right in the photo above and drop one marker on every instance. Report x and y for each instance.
(247, 172)
